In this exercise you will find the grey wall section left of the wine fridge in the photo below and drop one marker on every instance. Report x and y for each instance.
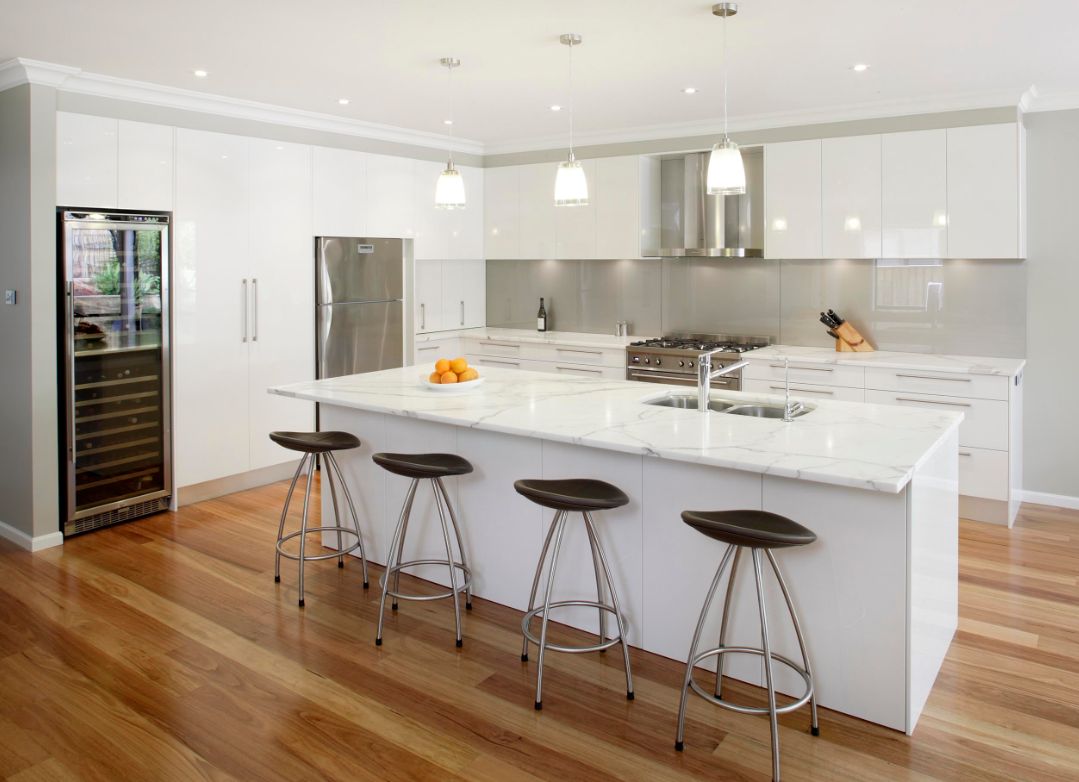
(29, 457)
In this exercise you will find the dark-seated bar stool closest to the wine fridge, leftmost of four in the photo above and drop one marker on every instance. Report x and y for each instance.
(313, 445)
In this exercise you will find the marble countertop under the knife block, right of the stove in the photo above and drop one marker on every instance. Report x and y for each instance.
(891, 360)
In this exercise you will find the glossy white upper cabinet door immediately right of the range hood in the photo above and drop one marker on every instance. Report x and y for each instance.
(793, 200)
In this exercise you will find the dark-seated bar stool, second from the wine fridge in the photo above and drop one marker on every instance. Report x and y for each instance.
(433, 468)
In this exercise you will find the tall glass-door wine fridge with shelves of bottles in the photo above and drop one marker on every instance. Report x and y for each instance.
(116, 444)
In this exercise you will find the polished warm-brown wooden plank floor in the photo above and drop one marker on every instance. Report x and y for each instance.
(163, 650)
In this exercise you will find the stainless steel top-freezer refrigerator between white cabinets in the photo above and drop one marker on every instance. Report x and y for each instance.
(360, 304)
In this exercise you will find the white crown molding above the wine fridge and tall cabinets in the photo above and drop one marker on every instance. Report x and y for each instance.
(74, 80)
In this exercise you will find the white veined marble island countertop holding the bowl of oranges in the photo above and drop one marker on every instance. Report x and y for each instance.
(871, 447)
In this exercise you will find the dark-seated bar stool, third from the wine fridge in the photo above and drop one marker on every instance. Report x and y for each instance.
(564, 498)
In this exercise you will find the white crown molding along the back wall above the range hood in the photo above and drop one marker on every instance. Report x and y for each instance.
(714, 127)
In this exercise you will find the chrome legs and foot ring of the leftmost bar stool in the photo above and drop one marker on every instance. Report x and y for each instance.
(331, 469)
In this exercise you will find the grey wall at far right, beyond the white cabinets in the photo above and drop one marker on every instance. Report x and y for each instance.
(1051, 448)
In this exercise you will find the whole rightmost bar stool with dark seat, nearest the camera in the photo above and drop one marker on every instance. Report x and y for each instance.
(760, 532)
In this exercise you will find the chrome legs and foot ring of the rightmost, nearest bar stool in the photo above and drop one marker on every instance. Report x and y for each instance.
(732, 556)
